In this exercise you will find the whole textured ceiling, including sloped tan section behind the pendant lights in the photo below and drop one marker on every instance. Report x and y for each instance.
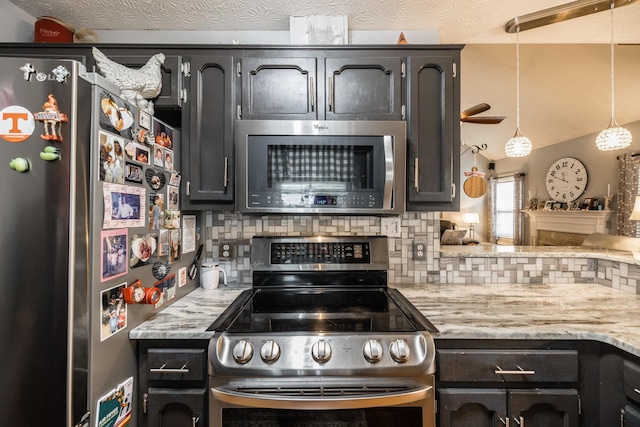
(565, 80)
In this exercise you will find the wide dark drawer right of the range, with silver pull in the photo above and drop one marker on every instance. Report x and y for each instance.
(508, 365)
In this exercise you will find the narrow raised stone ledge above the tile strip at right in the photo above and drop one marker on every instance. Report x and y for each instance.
(488, 250)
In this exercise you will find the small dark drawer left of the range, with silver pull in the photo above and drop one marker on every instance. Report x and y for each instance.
(180, 364)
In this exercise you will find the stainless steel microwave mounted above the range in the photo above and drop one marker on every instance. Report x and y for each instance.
(334, 167)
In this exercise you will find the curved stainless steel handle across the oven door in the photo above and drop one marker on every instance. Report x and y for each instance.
(321, 402)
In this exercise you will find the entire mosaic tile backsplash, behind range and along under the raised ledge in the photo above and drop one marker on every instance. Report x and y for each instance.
(238, 229)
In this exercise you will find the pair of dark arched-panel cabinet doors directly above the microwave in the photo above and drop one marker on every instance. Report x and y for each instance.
(321, 88)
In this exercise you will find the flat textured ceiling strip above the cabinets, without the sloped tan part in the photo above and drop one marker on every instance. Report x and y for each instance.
(458, 21)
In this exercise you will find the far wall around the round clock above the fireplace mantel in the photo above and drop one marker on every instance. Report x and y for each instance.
(602, 166)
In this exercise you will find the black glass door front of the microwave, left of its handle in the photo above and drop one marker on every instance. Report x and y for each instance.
(318, 172)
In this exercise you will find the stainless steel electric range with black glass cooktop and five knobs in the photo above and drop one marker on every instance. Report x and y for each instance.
(321, 340)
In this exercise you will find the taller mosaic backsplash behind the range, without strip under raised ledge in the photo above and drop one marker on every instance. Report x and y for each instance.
(238, 229)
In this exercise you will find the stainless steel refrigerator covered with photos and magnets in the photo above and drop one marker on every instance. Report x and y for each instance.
(61, 354)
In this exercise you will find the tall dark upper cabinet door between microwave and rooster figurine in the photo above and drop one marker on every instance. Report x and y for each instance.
(208, 148)
